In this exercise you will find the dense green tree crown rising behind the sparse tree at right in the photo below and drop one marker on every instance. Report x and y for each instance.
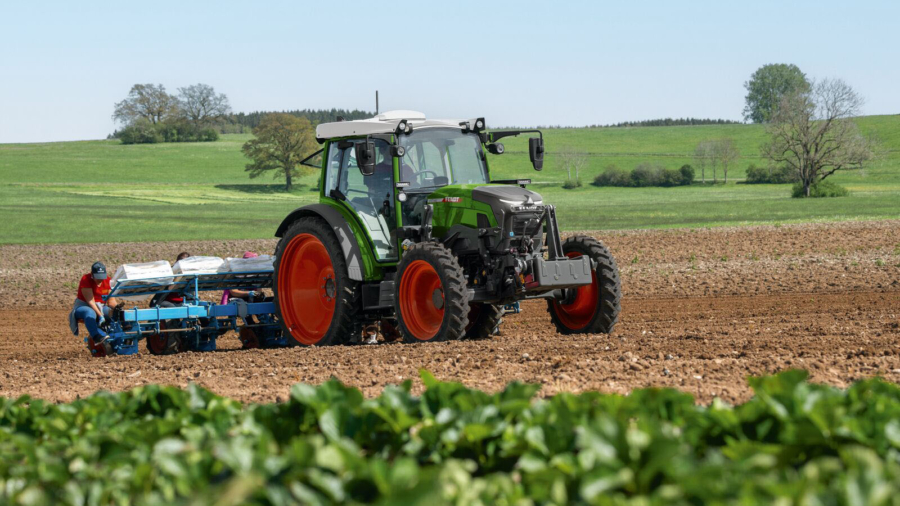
(766, 87)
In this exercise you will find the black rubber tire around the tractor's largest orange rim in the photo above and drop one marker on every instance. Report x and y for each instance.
(346, 324)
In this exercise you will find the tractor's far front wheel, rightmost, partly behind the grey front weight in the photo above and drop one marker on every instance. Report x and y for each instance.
(595, 307)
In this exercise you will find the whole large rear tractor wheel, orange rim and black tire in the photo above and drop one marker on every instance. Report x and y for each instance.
(316, 301)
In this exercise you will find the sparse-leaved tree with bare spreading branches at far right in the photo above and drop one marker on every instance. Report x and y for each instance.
(813, 133)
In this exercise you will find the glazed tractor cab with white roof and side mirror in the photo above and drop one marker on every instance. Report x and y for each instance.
(386, 171)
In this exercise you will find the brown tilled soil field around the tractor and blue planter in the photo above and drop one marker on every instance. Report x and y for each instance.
(702, 310)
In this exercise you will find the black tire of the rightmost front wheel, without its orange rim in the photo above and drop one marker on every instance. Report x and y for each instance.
(606, 276)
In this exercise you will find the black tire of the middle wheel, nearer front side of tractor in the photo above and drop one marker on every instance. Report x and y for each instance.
(454, 295)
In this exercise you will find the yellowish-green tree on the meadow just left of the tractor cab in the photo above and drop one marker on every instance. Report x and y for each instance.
(281, 142)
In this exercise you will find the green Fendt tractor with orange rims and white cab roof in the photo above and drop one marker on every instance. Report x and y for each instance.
(410, 234)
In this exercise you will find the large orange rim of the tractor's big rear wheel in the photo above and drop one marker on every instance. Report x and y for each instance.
(307, 289)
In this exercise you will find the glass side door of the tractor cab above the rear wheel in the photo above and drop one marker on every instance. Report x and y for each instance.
(370, 198)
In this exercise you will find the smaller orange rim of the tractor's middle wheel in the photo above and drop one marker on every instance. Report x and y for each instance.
(421, 300)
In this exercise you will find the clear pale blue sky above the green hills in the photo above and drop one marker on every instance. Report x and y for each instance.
(63, 65)
